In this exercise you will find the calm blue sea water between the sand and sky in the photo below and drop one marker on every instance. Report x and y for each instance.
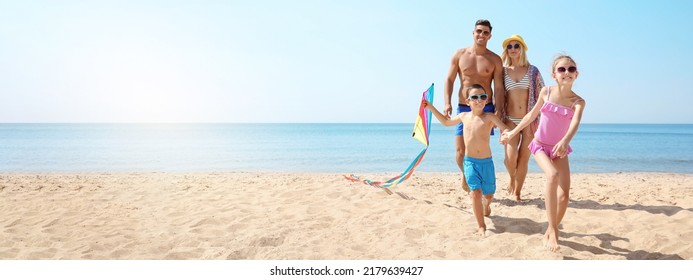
(341, 148)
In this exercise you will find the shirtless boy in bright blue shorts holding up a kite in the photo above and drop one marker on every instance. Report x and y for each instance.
(478, 165)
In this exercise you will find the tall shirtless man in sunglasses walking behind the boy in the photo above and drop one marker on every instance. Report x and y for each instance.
(474, 65)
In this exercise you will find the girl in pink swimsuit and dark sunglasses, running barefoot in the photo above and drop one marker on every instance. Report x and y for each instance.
(561, 110)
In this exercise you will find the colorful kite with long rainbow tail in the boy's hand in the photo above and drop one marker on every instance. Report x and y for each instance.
(421, 132)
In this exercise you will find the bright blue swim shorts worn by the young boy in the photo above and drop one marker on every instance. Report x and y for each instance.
(480, 173)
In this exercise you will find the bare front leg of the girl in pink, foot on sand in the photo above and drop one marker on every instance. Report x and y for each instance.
(550, 198)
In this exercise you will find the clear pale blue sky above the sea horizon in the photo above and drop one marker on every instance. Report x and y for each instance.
(321, 60)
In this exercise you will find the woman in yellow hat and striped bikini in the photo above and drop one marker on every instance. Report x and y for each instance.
(523, 82)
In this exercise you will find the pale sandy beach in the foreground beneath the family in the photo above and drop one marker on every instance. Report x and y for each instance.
(303, 216)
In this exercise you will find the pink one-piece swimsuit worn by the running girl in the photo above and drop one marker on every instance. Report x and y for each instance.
(553, 125)
